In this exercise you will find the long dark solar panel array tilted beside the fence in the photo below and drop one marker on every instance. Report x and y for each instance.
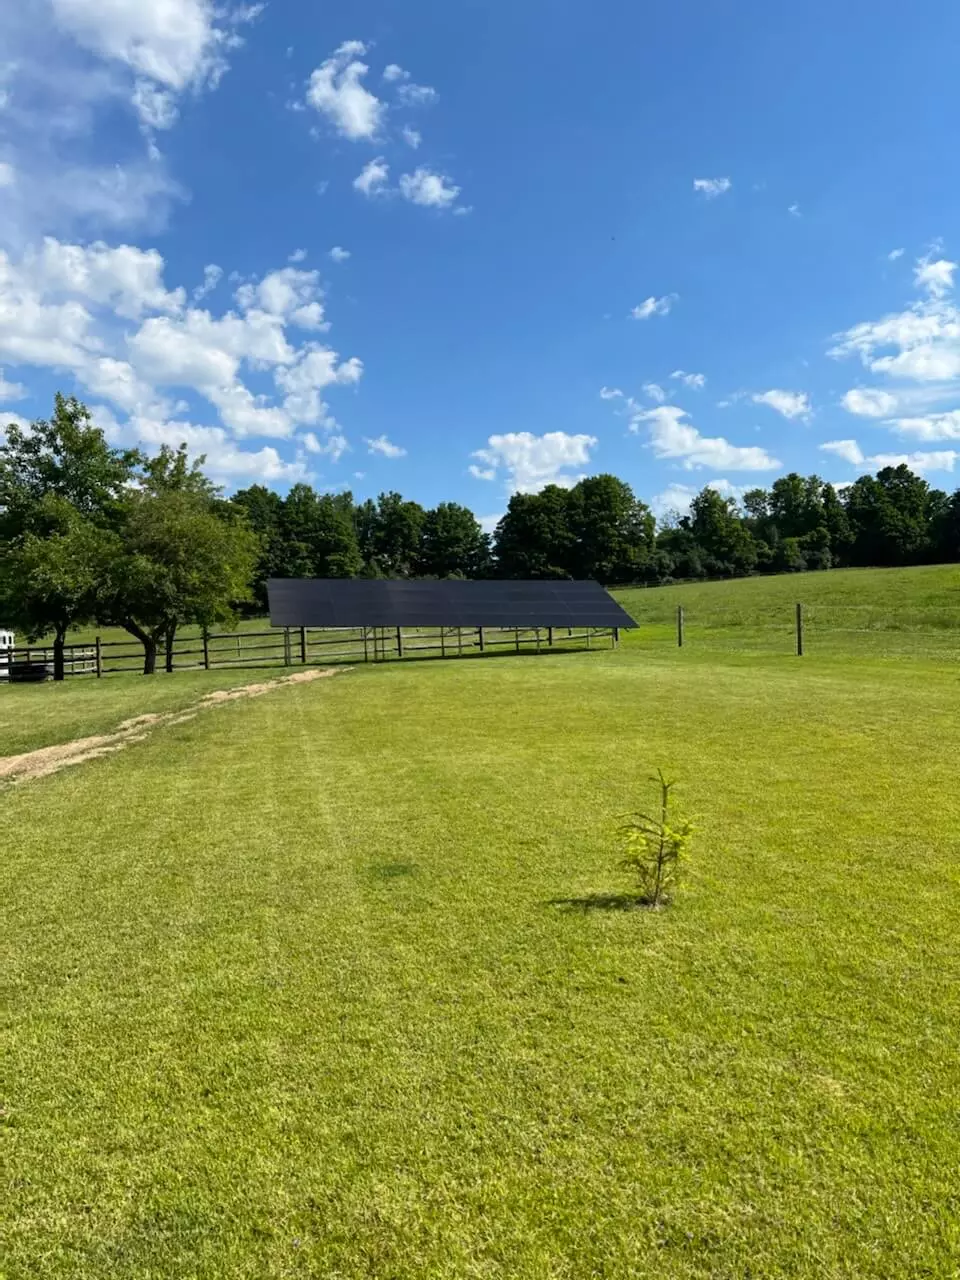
(331, 602)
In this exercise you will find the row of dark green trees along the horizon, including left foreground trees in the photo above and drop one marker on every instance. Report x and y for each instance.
(90, 533)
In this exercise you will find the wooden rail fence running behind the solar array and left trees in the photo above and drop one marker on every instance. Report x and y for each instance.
(291, 647)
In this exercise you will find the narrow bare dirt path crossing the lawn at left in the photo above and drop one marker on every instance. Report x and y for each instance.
(52, 760)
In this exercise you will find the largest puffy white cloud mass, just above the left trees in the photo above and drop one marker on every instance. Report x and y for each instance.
(106, 317)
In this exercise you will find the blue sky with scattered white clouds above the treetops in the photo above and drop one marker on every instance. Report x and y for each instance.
(464, 250)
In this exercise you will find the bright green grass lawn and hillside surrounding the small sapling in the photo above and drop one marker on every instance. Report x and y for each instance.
(316, 986)
